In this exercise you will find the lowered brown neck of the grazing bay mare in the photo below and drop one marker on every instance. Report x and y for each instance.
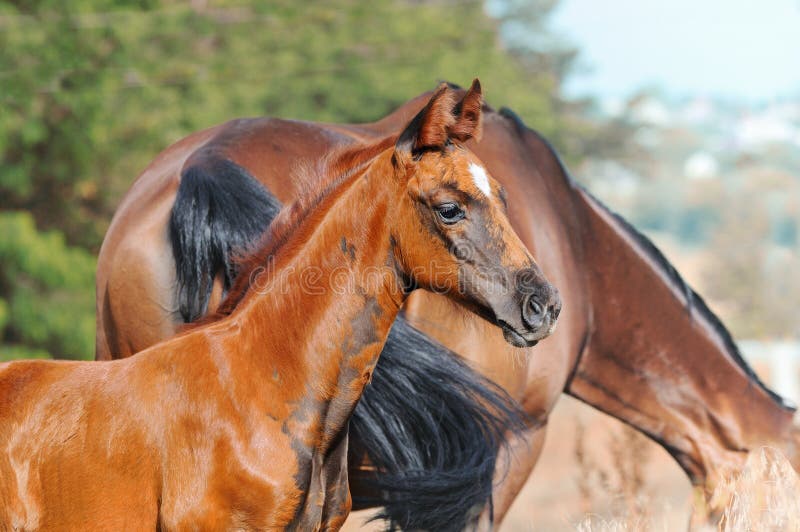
(657, 359)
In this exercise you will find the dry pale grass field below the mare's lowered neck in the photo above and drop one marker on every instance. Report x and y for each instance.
(598, 475)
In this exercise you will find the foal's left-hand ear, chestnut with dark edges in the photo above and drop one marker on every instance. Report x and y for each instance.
(430, 129)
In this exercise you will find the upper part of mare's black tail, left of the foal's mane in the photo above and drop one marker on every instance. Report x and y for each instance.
(220, 210)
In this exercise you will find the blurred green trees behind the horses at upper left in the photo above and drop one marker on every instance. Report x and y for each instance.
(92, 90)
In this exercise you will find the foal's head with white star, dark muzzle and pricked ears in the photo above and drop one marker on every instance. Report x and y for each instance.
(455, 236)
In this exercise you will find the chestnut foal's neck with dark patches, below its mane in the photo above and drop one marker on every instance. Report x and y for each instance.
(323, 307)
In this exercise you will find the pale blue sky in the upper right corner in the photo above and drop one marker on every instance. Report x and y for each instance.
(738, 49)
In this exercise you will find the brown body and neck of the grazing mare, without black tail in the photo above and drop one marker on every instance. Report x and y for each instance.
(633, 341)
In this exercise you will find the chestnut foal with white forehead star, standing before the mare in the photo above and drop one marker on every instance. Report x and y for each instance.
(242, 423)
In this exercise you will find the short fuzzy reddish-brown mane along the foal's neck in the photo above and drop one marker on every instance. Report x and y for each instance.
(320, 181)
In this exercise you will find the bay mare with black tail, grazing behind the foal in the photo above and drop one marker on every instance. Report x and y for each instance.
(634, 340)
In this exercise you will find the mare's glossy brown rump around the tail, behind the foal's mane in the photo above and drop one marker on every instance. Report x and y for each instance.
(136, 278)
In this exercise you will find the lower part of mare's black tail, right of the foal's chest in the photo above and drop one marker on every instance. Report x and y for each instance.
(432, 427)
